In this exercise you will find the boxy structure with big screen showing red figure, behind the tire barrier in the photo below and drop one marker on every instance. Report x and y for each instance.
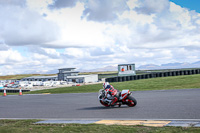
(126, 69)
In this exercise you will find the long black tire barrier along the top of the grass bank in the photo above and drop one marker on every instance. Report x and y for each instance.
(153, 75)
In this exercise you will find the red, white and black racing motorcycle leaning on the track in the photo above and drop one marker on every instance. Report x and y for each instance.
(125, 98)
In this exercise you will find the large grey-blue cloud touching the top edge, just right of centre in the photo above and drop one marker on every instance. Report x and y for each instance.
(110, 11)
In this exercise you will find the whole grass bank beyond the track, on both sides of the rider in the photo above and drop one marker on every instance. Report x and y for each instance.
(164, 83)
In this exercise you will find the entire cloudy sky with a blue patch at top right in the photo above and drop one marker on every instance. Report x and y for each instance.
(37, 36)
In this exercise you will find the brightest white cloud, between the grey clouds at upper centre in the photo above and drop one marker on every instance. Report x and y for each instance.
(77, 32)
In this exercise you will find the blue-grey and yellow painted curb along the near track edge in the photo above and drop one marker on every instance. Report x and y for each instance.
(152, 123)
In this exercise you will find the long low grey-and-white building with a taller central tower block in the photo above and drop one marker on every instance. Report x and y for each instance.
(65, 74)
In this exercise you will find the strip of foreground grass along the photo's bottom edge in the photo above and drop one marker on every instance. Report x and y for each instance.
(29, 126)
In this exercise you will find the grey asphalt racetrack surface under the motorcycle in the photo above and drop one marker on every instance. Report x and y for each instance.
(158, 104)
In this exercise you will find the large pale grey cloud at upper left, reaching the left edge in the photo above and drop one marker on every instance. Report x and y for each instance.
(21, 26)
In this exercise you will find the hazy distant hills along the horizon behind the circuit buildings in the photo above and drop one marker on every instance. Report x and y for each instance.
(110, 69)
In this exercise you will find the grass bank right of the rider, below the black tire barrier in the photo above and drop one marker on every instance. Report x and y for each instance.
(164, 83)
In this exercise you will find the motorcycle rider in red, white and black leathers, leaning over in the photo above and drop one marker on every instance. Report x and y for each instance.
(111, 93)
